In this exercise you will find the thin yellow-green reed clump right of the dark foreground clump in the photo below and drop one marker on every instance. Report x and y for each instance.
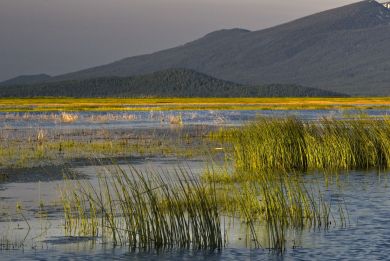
(282, 202)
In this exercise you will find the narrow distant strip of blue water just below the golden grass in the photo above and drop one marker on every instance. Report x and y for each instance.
(157, 119)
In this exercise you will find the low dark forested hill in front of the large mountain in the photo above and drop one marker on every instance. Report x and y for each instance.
(167, 83)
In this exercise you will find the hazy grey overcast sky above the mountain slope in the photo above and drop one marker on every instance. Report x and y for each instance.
(59, 36)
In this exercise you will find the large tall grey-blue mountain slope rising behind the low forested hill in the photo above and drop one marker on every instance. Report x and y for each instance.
(346, 49)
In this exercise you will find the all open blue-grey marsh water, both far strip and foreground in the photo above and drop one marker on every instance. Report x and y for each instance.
(366, 195)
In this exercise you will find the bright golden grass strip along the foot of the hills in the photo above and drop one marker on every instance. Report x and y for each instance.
(129, 104)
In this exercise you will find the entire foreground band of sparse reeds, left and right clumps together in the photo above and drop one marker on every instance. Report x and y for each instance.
(177, 210)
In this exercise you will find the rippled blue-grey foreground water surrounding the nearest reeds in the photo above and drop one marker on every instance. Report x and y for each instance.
(366, 236)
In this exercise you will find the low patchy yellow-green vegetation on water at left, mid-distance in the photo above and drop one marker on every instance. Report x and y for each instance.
(31, 147)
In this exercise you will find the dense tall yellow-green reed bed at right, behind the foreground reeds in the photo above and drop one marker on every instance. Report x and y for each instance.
(328, 144)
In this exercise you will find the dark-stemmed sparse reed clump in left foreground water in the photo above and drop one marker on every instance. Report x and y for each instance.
(144, 213)
